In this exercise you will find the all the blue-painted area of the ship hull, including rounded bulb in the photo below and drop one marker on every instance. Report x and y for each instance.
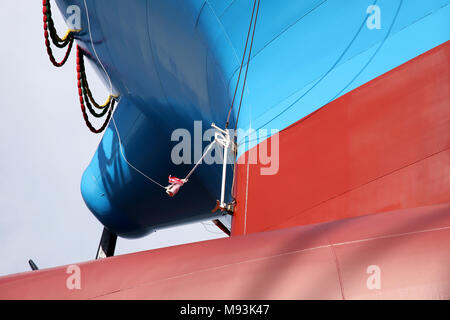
(176, 61)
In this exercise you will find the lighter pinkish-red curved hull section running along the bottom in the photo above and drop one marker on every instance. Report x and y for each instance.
(322, 261)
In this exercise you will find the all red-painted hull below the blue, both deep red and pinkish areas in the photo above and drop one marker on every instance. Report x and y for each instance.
(363, 183)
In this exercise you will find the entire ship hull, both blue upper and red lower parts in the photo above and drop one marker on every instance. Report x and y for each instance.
(355, 200)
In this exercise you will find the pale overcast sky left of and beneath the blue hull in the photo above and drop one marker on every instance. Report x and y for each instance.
(45, 147)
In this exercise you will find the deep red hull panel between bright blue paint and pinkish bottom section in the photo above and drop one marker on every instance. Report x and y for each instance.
(382, 146)
